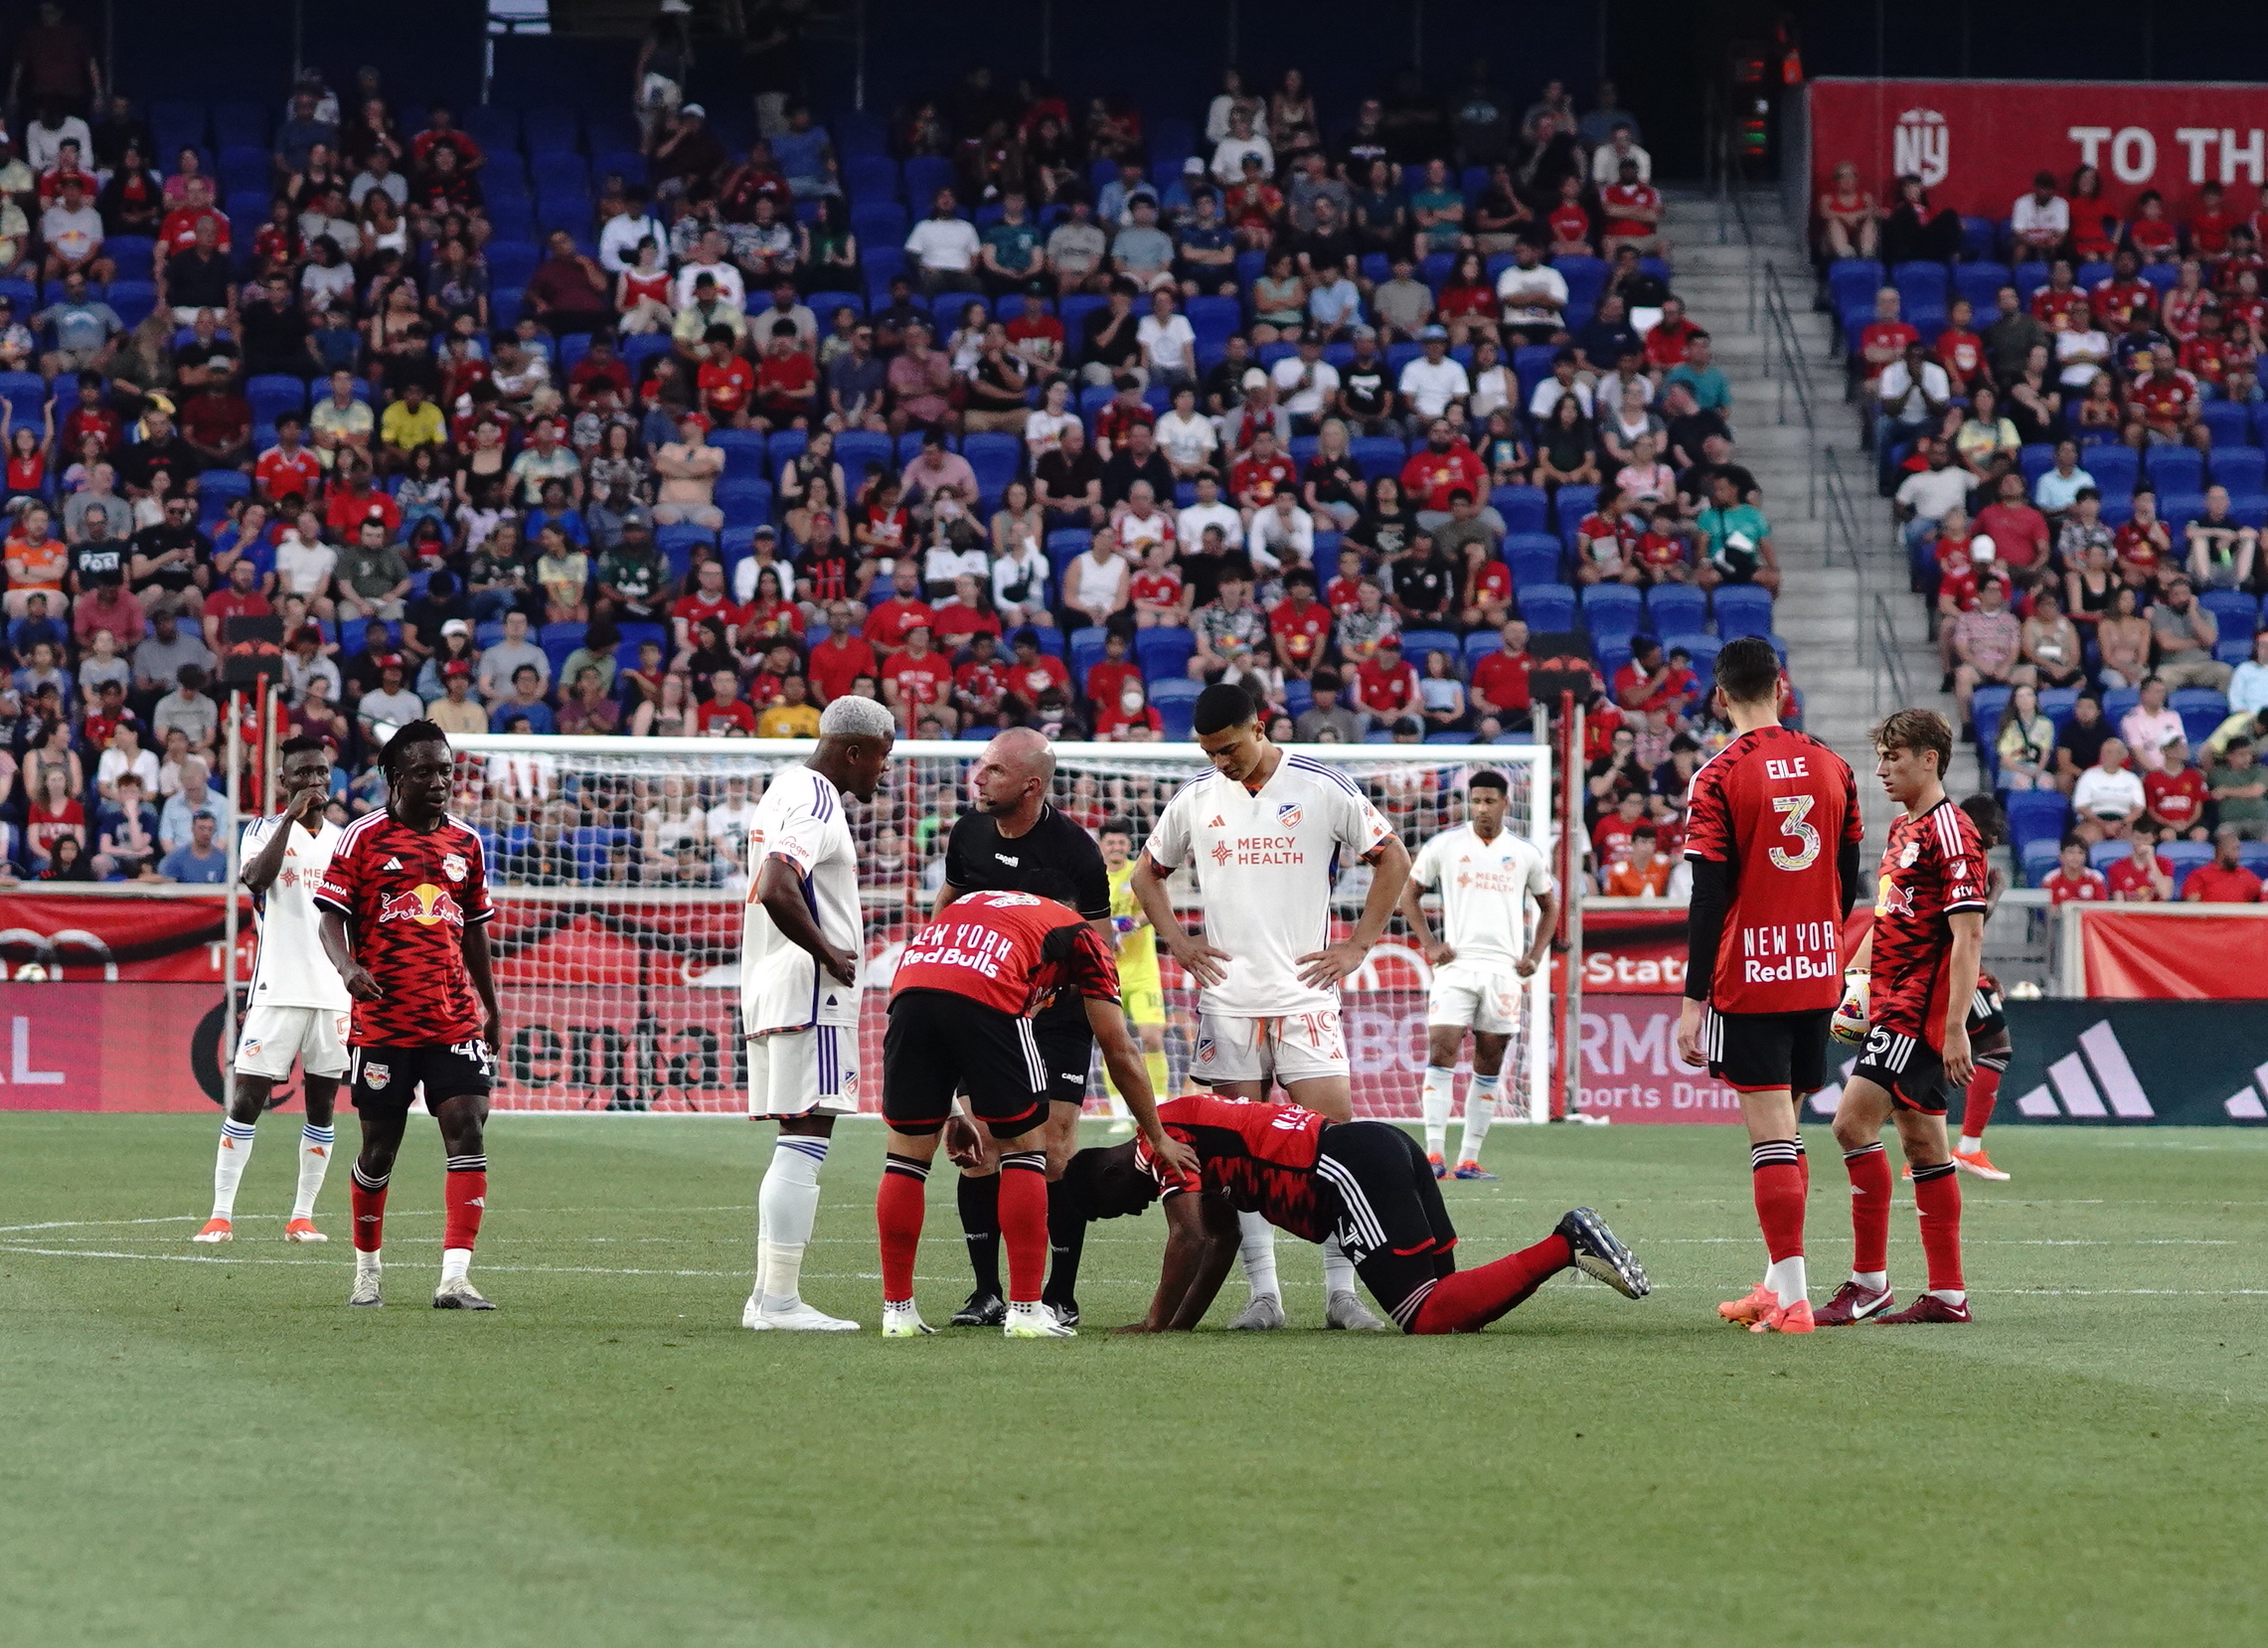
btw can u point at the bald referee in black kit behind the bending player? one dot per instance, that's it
(997, 849)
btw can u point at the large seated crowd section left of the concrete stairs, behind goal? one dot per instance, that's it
(999, 411)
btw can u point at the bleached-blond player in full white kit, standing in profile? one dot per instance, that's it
(799, 992)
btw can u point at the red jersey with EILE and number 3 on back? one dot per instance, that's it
(1777, 808)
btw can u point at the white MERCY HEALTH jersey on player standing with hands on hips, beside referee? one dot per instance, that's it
(1267, 865)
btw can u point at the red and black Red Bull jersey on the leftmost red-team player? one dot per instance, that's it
(409, 897)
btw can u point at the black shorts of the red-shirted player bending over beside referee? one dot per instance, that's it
(942, 1044)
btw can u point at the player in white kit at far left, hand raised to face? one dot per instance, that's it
(298, 1005)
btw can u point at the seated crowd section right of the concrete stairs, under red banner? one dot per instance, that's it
(2067, 418)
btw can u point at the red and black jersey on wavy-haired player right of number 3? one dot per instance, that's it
(1933, 867)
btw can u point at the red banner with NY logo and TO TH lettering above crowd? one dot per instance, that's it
(1979, 142)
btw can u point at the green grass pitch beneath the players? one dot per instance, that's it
(212, 1450)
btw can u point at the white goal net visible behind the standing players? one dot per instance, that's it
(620, 876)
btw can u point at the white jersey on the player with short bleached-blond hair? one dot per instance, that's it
(802, 822)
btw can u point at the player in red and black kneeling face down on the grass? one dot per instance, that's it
(1360, 1184)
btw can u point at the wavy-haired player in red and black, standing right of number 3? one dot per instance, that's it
(1922, 983)
